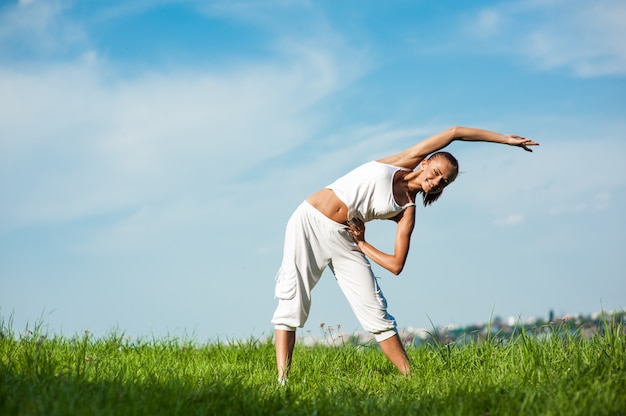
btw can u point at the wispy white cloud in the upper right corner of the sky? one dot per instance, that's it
(584, 37)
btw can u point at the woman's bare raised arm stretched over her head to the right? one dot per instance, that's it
(414, 155)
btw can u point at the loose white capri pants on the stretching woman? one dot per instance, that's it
(312, 242)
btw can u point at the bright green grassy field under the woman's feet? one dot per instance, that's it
(561, 373)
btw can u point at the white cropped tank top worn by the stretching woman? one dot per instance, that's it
(367, 191)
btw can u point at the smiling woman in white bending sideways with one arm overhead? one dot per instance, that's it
(328, 230)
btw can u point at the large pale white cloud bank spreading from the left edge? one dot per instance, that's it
(78, 142)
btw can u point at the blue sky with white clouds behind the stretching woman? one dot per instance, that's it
(152, 151)
